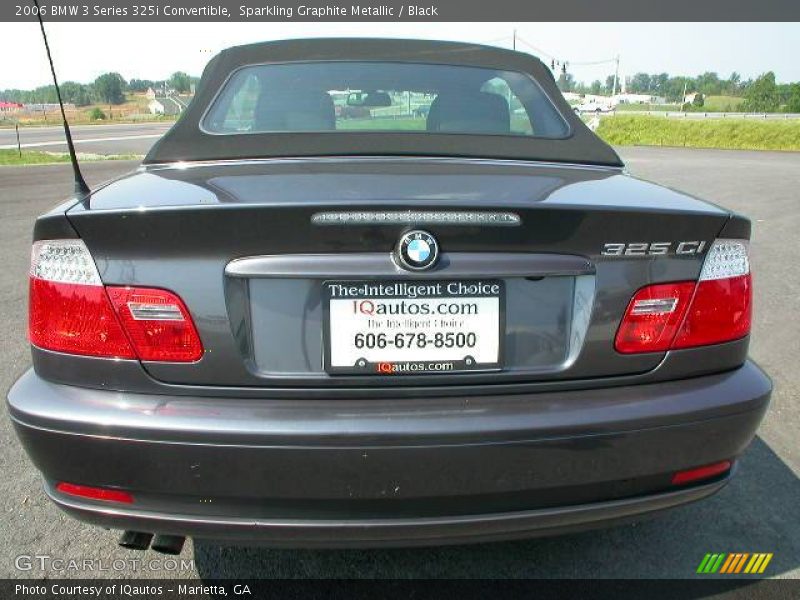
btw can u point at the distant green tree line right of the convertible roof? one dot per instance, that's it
(762, 94)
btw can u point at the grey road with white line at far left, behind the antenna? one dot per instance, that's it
(135, 138)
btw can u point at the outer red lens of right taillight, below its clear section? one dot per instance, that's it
(721, 311)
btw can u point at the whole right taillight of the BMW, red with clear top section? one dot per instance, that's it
(717, 308)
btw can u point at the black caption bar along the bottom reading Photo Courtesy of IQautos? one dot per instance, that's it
(547, 589)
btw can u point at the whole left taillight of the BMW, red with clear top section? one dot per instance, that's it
(71, 311)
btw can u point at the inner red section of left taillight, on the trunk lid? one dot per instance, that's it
(158, 324)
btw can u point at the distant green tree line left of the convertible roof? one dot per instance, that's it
(109, 88)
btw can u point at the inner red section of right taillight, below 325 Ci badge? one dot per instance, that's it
(653, 316)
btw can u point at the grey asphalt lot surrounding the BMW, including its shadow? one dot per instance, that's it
(757, 512)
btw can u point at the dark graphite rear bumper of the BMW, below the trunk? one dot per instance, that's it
(405, 471)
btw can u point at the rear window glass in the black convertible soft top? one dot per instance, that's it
(382, 96)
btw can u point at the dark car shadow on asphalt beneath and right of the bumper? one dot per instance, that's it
(757, 512)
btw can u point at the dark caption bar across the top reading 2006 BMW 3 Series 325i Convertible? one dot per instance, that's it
(423, 10)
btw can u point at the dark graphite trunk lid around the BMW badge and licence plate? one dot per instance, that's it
(249, 247)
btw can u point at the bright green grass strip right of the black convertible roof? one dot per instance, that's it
(733, 134)
